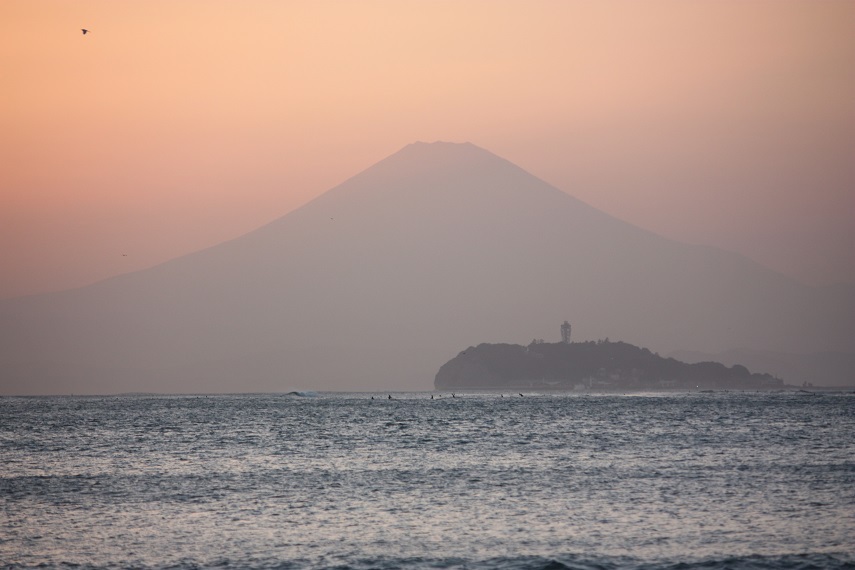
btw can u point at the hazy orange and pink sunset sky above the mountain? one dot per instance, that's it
(173, 126)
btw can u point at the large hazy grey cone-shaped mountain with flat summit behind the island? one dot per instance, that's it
(379, 281)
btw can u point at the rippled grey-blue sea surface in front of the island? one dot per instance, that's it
(479, 480)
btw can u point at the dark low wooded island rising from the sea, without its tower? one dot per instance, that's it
(597, 365)
